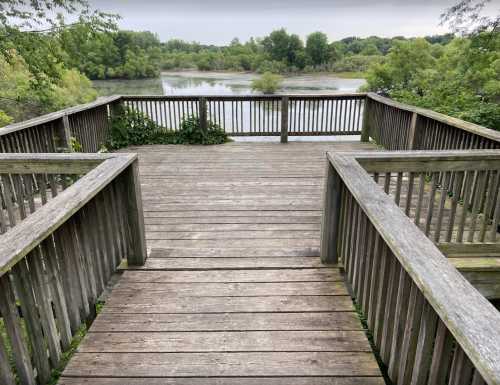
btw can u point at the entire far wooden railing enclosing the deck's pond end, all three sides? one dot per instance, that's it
(393, 125)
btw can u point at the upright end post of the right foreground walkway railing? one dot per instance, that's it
(331, 216)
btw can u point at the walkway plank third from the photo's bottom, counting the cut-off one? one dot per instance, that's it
(239, 341)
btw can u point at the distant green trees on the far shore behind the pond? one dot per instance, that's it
(281, 52)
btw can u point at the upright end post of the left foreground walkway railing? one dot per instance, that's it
(137, 255)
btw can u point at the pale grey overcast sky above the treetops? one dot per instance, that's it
(218, 21)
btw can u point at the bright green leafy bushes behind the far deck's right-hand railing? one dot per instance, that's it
(460, 79)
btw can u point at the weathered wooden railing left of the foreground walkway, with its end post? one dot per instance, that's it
(56, 262)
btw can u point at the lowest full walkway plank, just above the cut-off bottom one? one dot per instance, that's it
(217, 364)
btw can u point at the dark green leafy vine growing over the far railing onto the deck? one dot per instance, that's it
(133, 128)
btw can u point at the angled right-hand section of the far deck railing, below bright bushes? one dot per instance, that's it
(397, 126)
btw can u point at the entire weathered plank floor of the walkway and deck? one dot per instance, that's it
(233, 291)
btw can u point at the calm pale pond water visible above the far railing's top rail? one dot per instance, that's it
(223, 83)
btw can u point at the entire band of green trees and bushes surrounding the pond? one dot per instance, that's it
(48, 69)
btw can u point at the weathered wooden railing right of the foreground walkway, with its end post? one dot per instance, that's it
(428, 323)
